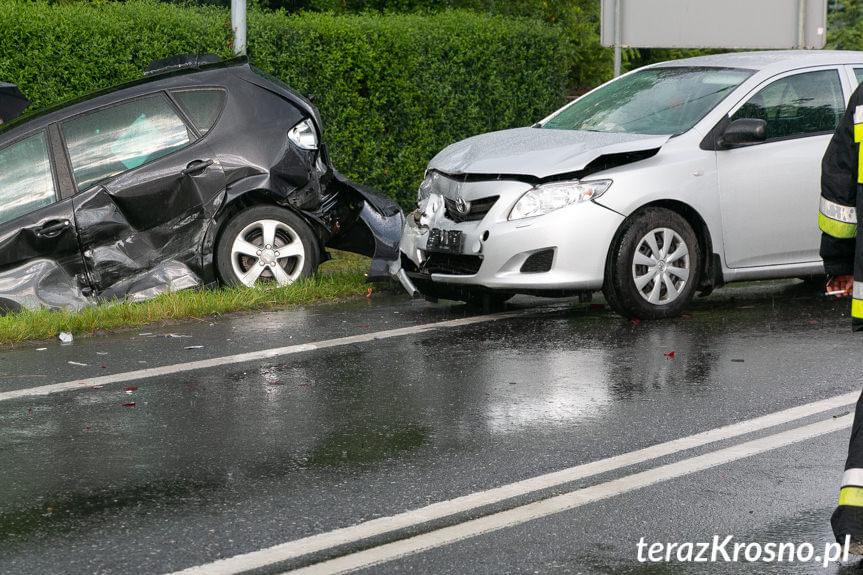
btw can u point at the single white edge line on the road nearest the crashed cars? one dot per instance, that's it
(254, 355)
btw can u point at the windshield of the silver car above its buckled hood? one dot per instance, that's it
(655, 101)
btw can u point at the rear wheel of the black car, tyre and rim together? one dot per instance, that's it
(244, 257)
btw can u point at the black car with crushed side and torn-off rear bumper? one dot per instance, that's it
(194, 174)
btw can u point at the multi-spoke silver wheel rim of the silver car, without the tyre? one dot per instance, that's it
(661, 266)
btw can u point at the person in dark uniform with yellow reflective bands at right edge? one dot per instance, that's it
(841, 181)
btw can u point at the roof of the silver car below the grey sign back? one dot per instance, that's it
(774, 60)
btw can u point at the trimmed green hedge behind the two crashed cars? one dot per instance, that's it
(393, 90)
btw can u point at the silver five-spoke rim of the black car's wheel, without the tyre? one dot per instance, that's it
(268, 250)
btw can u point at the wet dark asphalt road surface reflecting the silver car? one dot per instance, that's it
(216, 462)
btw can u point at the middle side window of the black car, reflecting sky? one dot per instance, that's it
(112, 140)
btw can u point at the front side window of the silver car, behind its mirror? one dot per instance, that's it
(799, 105)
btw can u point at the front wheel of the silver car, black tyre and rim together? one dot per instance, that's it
(654, 266)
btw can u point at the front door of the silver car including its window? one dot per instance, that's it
(769, 192)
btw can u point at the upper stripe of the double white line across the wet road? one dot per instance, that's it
(332, 539)
